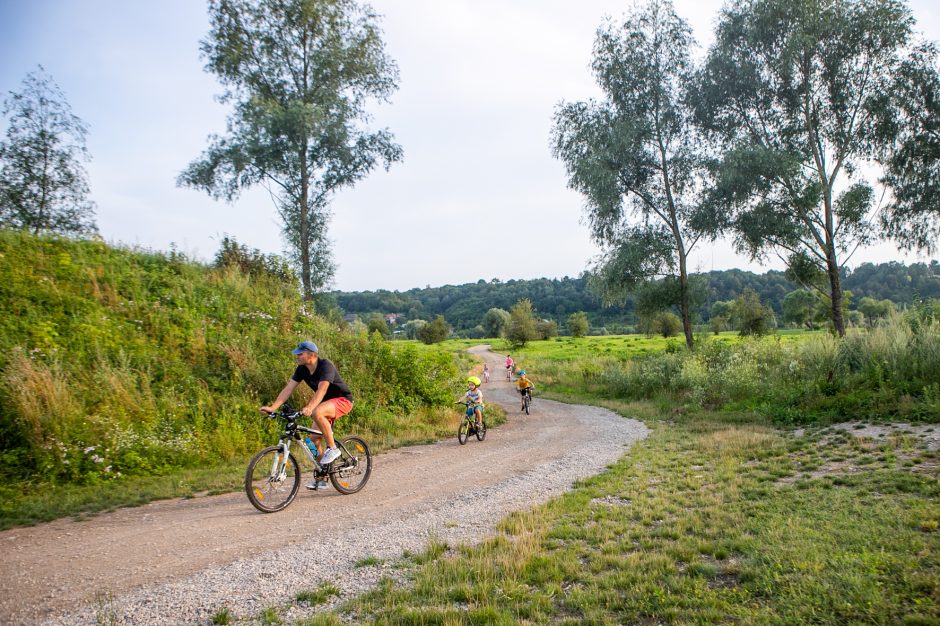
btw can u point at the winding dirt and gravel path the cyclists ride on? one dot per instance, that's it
(181, 561)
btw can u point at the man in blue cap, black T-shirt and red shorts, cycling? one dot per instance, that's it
(331, 399)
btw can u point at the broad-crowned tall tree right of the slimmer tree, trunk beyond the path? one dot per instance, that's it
(797, 93)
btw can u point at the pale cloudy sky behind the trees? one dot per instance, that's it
(478, 194)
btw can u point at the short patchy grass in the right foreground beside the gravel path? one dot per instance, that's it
(706, 522)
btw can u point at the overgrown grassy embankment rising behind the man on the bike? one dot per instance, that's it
(126, 362)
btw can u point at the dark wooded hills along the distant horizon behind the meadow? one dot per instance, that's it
(463, 306)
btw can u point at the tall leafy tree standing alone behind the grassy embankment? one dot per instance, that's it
(299, 74)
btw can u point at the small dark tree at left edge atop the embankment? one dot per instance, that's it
(43, 183)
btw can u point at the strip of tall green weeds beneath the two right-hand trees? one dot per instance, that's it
(890, 371)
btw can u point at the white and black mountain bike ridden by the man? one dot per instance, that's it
(273, 476)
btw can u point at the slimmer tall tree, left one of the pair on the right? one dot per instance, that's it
(635, 156)
